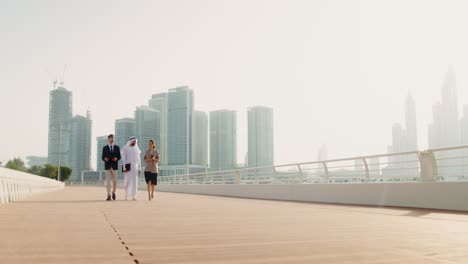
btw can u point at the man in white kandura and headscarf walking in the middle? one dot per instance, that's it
(131, 166)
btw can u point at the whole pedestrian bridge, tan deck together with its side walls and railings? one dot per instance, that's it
(409, 210)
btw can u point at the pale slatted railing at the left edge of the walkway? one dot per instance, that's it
(16, 185)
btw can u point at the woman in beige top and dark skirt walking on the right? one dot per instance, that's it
(151, 168)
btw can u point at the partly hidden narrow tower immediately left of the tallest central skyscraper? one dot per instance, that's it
(159, 102)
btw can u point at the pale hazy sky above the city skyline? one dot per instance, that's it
(335, 72)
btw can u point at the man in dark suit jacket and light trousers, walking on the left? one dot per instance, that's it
(111, 157)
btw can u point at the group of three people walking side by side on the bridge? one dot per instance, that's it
(131, 167)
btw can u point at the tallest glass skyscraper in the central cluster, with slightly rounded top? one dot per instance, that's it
(179, 126)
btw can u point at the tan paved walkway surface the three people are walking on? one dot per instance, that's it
(75, 225)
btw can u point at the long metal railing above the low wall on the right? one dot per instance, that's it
(441, 164)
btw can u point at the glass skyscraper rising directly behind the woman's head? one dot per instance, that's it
(147, 122)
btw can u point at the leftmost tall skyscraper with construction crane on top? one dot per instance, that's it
(60, 117)
